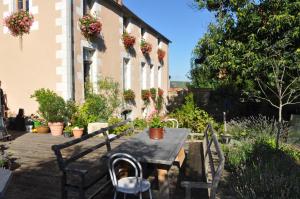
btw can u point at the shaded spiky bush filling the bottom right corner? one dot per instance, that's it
(262, 171)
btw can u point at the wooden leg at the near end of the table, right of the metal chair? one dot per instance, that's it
(163, 183)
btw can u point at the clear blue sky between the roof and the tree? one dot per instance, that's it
(179, 22)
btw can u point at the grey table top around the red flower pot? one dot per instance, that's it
(147, 150)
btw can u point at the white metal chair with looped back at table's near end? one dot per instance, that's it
(128, 185)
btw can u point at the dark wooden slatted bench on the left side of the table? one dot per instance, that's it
(81, 180)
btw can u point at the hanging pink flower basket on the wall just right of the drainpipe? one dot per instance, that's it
(90, 27)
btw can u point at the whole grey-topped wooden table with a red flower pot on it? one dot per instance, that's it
(162, 153)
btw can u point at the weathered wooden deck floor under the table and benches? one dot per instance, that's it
(36, 174)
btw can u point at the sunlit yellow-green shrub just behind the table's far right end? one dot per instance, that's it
(190, 116)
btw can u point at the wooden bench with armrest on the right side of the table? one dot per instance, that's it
(212, 164)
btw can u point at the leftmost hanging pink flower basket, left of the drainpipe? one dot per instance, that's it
(19, 23)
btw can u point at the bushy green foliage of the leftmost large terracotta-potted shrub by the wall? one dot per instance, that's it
(51, 106)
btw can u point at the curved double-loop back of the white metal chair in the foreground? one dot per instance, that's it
(123, 157)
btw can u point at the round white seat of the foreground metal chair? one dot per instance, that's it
(131, 186)
